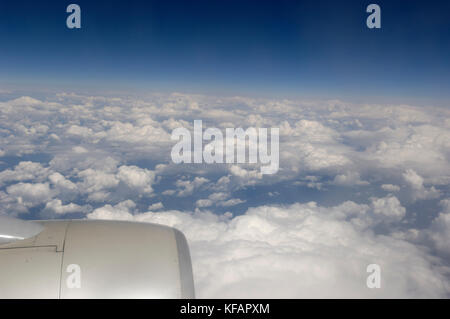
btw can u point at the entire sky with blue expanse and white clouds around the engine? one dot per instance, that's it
(87, 117)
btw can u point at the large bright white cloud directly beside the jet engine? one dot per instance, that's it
(297, 251)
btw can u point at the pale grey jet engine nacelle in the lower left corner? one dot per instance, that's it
(97, 259)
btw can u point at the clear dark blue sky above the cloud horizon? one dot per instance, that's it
(309, 48)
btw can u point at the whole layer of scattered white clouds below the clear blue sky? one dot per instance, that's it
(357, 185)
